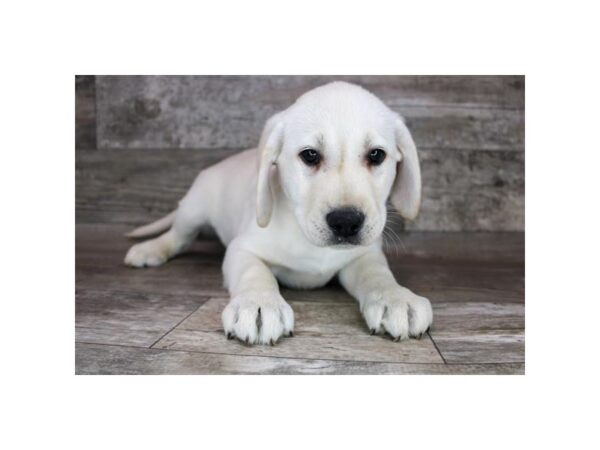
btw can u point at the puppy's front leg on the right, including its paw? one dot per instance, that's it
(385, 305)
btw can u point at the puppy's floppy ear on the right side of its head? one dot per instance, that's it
(406, 192)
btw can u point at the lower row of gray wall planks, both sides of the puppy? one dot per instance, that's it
(462, 190)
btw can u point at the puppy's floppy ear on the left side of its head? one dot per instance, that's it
(269, 148)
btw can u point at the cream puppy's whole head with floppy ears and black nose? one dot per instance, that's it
(338, 154)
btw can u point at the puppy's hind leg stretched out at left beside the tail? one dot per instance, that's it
(189, 218)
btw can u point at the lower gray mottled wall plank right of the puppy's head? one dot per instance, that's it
(472, 191)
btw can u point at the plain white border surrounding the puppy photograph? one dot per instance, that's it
(46, 43)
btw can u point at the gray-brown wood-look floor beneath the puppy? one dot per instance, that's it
(166, 320)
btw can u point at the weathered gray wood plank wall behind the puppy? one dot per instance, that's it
(141, 140)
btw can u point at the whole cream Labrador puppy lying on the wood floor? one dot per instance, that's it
(307, 205)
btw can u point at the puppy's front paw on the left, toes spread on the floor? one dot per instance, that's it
(258, 318)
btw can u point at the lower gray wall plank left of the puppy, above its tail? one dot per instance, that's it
(135, 186)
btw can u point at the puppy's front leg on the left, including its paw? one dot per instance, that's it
(256, 313)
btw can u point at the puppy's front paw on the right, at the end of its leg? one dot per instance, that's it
(398, 312)
